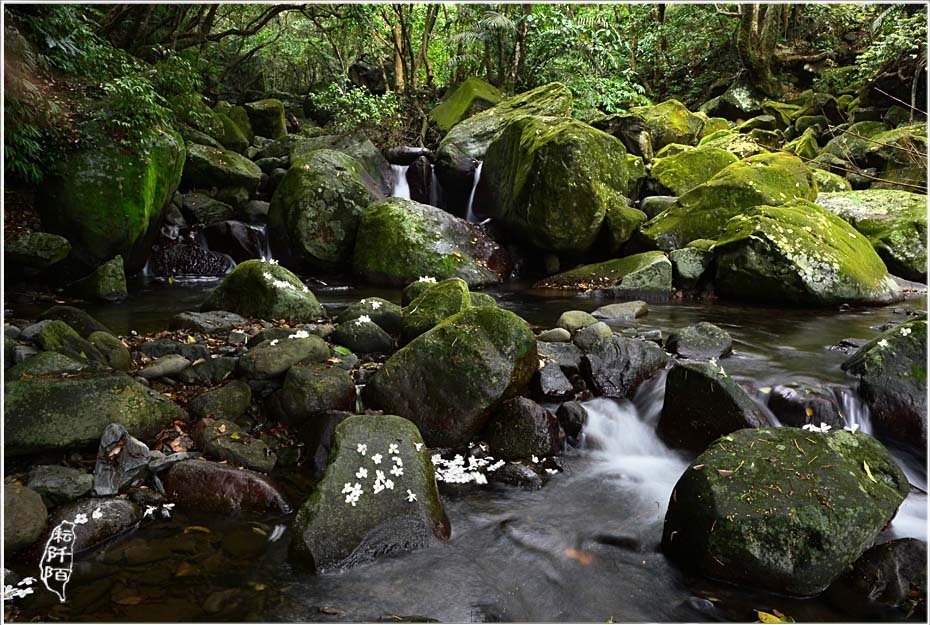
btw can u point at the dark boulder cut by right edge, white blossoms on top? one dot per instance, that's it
(893, 382)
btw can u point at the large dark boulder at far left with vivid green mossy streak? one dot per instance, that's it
(108, 200)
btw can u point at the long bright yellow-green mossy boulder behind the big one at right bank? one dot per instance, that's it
(703, 212)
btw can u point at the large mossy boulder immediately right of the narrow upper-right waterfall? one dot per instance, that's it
(553, 181)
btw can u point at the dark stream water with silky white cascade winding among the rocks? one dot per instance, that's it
(584, 548)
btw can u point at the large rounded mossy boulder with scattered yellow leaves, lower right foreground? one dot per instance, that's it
(782, 509)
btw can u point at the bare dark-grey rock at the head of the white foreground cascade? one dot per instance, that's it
(616, 366)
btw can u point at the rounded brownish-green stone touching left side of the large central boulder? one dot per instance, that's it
(313, 389)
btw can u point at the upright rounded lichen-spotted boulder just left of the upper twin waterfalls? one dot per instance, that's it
(316, 209)
